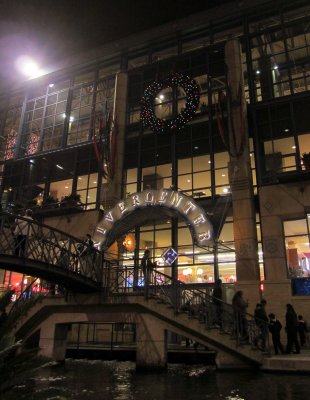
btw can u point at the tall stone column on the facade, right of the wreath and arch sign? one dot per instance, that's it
(240, 178)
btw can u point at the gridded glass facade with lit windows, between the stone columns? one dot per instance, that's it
(47, 150)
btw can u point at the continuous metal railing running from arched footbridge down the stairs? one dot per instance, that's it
(26, 238)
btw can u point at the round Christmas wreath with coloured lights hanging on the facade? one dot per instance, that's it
(148, 116)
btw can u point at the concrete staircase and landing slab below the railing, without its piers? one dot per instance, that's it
(95, 307)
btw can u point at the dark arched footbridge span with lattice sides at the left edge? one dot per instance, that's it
(28, 247)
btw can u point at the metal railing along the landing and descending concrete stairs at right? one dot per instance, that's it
(196, 303)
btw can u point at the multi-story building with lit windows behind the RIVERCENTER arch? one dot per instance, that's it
(242, 156)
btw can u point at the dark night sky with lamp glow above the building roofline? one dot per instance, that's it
(50, 29)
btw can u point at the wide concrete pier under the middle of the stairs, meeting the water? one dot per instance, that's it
(151, 342)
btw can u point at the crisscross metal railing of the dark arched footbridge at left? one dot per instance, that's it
(29, 239)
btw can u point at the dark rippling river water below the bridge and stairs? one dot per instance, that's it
(114, 380)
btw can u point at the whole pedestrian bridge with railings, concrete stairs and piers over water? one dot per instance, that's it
(122, 296)
